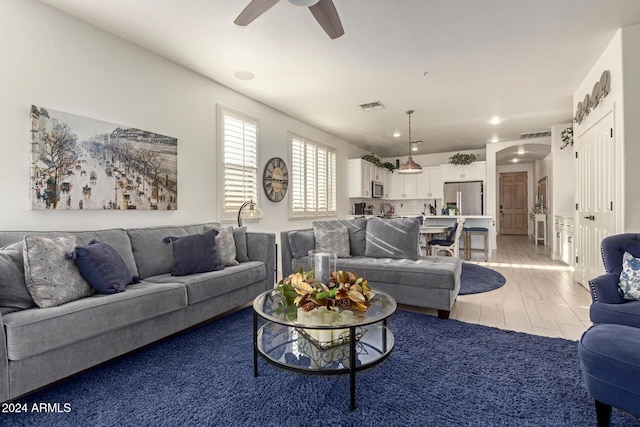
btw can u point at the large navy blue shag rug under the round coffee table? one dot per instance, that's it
(441, 373)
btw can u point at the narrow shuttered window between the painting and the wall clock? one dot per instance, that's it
(239, 136)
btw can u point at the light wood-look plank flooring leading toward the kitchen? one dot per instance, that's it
(539, 297)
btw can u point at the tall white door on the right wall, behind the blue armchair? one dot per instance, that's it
(595, 184)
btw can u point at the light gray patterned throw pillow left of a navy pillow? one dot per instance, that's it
(52, 279)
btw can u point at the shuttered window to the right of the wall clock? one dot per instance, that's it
(312, 180)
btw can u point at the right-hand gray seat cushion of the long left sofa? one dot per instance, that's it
(203, 286)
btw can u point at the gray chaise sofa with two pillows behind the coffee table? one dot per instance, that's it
(384, 251)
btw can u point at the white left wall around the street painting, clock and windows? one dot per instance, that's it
(55, 61)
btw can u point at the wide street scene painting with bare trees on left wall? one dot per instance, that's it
(83, 163)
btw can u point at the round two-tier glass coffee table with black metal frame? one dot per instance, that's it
(361, 342)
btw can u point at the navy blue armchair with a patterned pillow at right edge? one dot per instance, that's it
(608, 305)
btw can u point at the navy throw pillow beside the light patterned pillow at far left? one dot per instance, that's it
(102, 267)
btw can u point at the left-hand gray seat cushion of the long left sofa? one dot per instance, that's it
(32, 332)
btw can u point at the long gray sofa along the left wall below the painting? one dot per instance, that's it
(41, 345)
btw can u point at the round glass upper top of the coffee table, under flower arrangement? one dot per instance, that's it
(268, 306)
